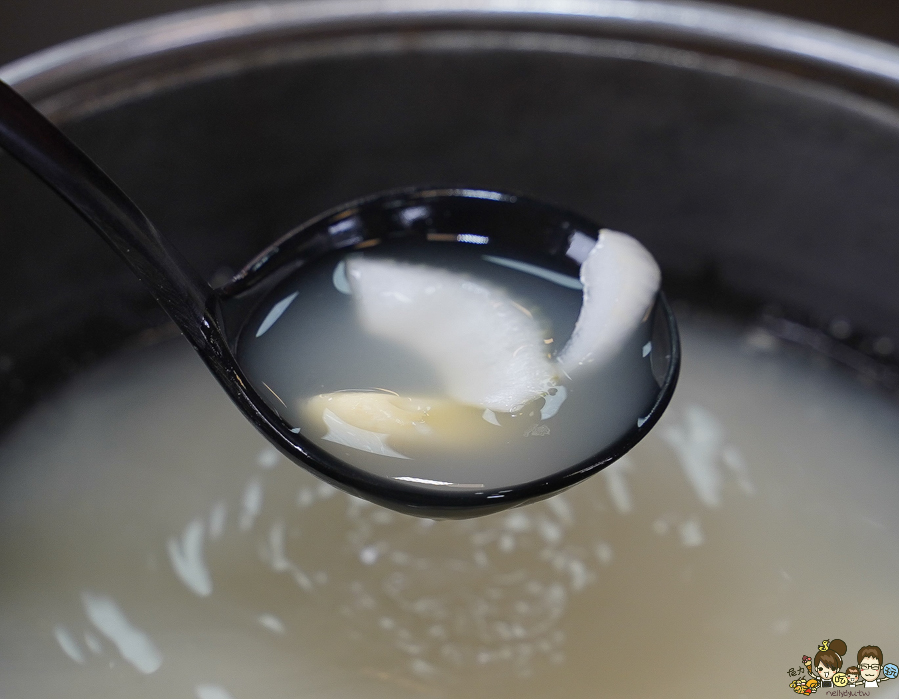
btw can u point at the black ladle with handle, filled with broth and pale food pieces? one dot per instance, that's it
(503, 299)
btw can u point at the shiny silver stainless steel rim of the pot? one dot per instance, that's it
(685, 21)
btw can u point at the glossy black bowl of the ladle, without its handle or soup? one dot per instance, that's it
(499, 221)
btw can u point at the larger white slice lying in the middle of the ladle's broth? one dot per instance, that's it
(487, 349)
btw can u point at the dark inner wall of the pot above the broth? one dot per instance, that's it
(761, 181)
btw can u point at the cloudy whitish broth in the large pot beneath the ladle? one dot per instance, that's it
(153, 545)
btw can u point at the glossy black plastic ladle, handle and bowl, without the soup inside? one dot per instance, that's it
(215, 321)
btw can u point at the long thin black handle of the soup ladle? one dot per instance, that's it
(41, 147)
